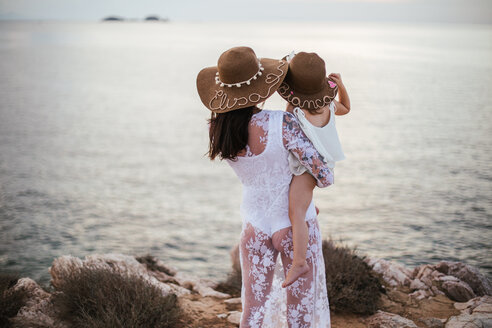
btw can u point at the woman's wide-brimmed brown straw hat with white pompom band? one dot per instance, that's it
(239, 80)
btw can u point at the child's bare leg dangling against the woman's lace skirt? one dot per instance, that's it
(300, 196)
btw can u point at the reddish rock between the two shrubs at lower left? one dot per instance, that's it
(38, 311)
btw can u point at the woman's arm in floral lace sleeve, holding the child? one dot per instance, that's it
(301, 147)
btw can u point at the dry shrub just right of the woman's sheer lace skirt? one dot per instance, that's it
(351, 284)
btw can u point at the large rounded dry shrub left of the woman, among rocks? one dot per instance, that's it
(95, 298)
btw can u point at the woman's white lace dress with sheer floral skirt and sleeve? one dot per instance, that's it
(267, 235)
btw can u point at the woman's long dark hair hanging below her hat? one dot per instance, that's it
(229, 133)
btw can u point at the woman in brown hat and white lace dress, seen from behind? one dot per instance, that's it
(256, 144)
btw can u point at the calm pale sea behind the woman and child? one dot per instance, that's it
(103, 141)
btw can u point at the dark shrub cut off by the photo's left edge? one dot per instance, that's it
(10, 301)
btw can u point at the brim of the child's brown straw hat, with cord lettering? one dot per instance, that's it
(312, 101)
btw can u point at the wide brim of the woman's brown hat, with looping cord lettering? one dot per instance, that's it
(225, 99)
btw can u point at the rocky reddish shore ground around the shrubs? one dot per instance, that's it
(447, 294)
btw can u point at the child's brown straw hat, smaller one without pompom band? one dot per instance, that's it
(306, 85)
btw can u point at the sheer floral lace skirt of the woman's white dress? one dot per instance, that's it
(265, 303)
